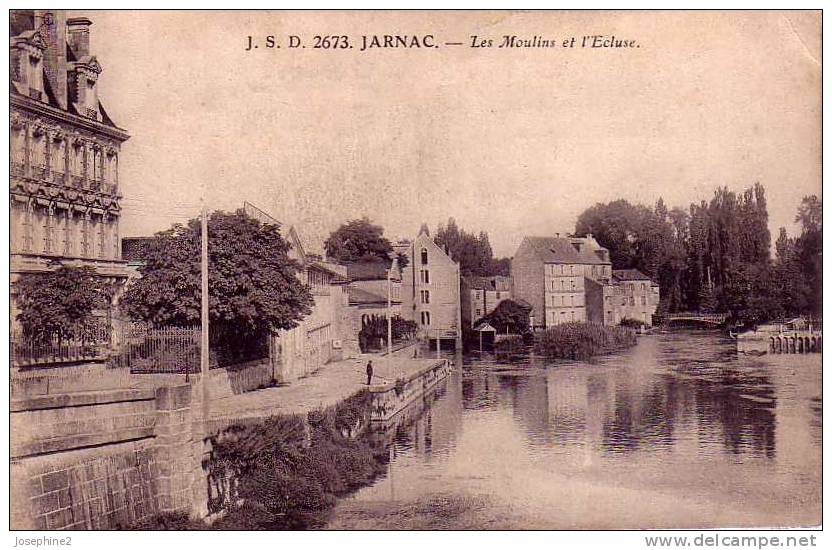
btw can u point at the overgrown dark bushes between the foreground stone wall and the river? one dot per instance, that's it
(287, 471)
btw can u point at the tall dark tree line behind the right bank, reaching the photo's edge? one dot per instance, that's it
(716, 255)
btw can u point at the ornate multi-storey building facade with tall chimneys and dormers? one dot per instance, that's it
(64, 185)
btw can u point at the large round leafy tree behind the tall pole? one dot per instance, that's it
(253, 287)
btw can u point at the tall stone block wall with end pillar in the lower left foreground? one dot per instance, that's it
(104, 459)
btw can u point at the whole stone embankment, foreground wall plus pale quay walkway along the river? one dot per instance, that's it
(98, 449)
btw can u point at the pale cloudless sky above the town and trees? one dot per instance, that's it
(513, 142)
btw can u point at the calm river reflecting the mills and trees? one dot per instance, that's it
(677, 432)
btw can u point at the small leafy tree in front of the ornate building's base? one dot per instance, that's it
(60, 303)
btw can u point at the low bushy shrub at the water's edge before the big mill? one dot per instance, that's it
(582, 340)
